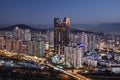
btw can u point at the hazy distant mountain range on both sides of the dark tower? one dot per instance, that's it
(91, 28)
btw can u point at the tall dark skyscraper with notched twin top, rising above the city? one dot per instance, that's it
(61, 34)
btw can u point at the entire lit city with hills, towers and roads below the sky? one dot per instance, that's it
(76, 53)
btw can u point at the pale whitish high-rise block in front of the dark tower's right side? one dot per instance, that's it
(73, 56)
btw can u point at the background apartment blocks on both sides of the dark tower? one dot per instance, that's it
(33, 43)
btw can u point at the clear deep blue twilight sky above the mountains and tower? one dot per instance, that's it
(43, 11)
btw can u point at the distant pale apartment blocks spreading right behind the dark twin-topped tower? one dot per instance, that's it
(96, 41)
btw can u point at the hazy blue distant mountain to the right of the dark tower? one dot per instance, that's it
(102, 27)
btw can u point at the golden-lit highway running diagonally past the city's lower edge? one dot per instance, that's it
(41, 61)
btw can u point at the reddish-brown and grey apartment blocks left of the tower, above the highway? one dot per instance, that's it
(23, 41)
